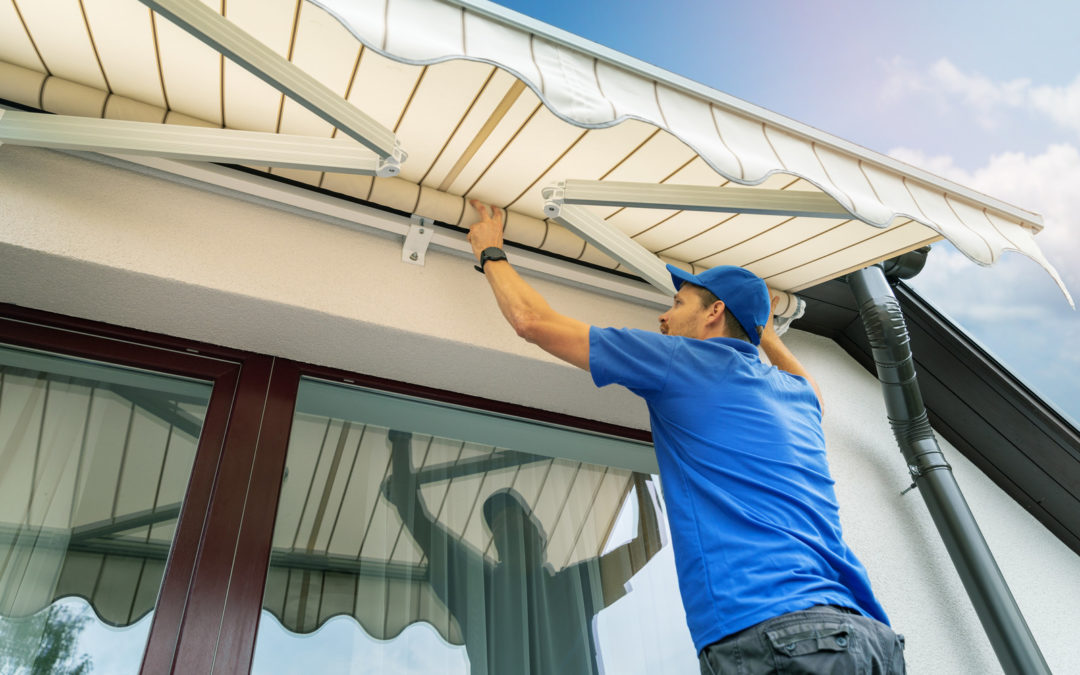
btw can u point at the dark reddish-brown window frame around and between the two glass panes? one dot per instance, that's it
(211, 600)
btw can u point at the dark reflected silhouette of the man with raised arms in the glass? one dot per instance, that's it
(518, 615)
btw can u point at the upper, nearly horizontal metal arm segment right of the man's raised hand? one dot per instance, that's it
(698, 198)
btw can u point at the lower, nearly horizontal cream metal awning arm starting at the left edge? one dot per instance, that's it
(185, 143)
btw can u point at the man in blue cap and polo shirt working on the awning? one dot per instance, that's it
(767, 582)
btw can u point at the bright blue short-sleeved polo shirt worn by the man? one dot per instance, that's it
(754, 519)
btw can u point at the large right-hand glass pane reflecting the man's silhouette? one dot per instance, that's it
(415, 537)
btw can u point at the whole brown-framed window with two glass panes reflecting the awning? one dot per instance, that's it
(172, 507)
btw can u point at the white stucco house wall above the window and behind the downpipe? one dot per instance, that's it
(91, 241)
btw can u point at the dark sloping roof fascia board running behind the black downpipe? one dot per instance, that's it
(1025, 447)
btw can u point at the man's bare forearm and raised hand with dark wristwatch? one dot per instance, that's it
(525, 309)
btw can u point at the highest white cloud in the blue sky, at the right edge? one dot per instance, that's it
(988, 100)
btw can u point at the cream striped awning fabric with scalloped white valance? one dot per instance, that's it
(491, 105)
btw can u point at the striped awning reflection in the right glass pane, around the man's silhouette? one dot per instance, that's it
(343, 547)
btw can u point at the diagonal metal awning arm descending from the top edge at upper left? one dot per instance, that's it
(261, 61)
